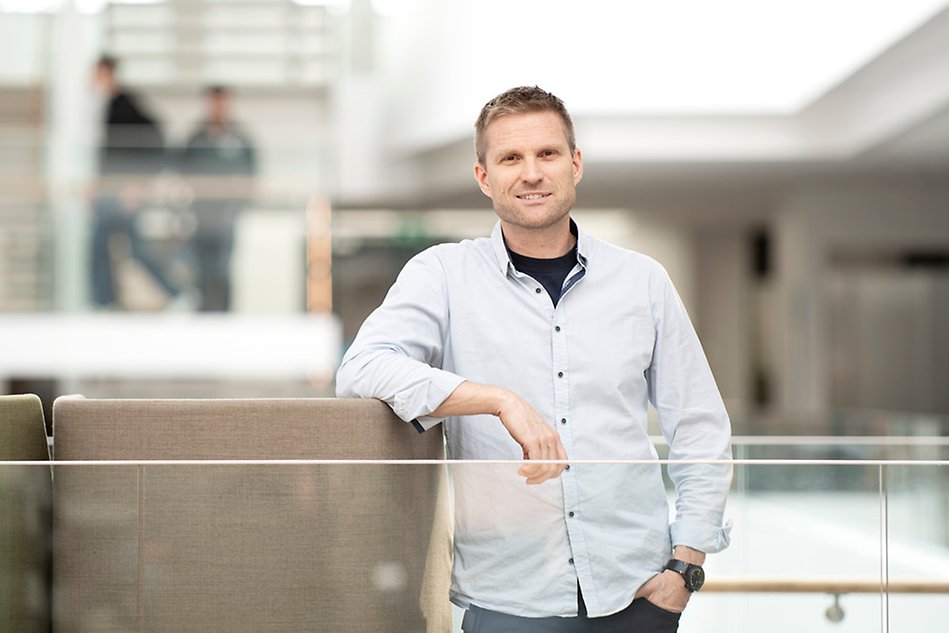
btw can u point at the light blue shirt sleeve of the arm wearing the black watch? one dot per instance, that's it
(693, 420)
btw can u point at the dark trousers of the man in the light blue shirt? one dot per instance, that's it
(641, 616)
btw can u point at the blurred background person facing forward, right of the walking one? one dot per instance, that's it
(220, 162)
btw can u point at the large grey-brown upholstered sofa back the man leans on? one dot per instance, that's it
(240, 547)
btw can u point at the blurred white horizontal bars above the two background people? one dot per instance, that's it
(188, 44)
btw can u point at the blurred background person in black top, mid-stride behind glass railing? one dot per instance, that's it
(131, 154)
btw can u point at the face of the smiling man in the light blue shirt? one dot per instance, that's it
(529, 172)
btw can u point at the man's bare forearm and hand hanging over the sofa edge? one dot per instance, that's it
(537, 439)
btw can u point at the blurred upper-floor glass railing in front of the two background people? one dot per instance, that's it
(212, 230)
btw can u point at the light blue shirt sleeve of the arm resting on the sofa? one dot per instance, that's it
(397, 354)
